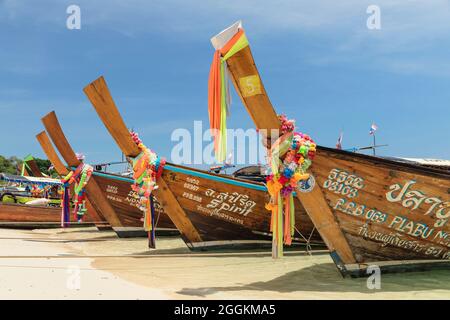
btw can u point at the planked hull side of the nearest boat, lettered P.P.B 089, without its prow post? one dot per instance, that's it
(387, 211)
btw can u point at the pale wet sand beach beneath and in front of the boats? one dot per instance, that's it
(88, 264)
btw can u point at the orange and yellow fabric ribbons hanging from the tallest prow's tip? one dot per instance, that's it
(218, 92)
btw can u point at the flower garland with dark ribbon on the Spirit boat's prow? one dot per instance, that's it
(147, 168)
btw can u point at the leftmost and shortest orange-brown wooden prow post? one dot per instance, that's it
(61, 169)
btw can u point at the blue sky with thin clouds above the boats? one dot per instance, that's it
(319, 63)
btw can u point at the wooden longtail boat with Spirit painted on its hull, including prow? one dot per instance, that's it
(209, 210)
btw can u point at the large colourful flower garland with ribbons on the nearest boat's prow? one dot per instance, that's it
(289, 157)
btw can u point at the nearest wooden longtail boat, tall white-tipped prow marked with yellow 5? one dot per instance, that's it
(368, 210)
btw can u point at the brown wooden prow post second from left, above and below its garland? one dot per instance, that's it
(94, 193)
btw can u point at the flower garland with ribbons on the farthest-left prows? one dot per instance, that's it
(80, 177)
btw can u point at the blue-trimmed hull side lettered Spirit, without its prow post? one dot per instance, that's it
(224, 208)
